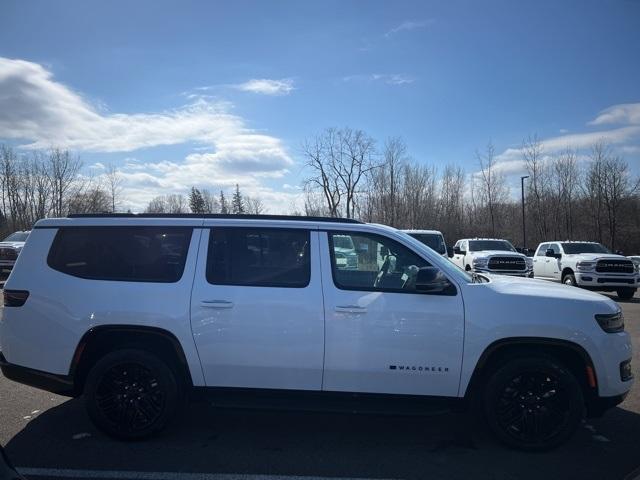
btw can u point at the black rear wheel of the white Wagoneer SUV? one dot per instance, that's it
(132, 394)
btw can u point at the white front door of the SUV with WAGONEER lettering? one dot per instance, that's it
(388, 341)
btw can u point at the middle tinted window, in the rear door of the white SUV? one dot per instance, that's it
(258, 257)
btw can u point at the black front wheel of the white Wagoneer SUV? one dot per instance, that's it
(533, 403)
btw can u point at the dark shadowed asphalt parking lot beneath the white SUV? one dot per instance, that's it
(48, 436)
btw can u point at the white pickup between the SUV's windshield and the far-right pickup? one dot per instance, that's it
(491, 255)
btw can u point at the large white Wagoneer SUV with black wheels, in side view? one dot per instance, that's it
(132, 311)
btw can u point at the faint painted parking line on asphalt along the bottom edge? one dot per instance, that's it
(134, 475)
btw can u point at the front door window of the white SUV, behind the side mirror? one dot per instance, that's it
(378, 264)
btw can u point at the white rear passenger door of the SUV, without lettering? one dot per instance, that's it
(258, 336)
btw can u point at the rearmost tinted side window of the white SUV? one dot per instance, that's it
(130, 254)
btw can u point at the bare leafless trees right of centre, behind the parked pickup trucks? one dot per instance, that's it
(567, 196)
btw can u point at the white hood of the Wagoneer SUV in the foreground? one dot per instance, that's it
(543, 289)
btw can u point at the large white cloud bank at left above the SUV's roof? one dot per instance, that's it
(40, 112)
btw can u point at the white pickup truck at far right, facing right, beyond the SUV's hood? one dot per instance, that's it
(588, 265)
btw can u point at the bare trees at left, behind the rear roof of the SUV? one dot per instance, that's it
(36, 185)
